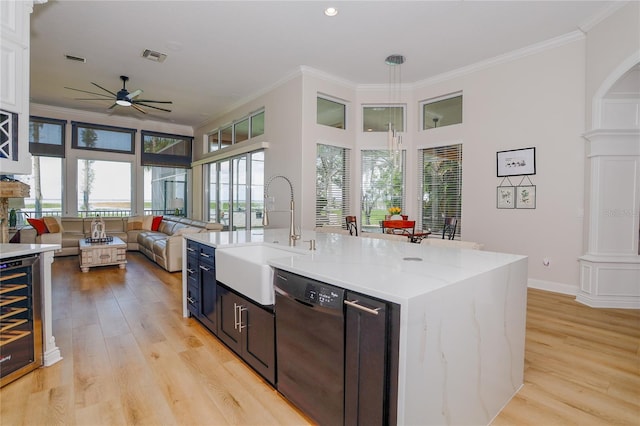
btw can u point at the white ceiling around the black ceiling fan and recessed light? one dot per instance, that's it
(220, 53)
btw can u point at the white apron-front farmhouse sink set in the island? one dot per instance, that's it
(245, 269)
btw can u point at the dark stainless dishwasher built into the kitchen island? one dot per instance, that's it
(310, 346)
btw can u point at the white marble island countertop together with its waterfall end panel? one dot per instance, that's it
(462, 315)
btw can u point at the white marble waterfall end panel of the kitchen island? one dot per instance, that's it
(464, 357)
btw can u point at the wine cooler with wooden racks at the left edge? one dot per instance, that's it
(20, 317)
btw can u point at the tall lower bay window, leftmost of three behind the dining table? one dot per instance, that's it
(332, 185)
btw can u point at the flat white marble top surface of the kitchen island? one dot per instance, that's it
(390, 270)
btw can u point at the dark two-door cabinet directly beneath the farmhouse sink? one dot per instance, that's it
(249, 330)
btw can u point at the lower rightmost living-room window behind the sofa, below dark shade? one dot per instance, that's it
(165, 191)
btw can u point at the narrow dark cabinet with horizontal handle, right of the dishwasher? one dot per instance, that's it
(371, 360)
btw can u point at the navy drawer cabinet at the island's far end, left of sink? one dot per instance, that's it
(201, 284)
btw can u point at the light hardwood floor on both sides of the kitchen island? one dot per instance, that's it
(130, 358)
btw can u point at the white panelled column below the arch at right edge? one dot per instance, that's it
(610, 270)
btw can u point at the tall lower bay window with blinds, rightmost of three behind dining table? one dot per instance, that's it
(441, 177)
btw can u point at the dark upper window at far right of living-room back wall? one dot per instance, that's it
(160, 149)
